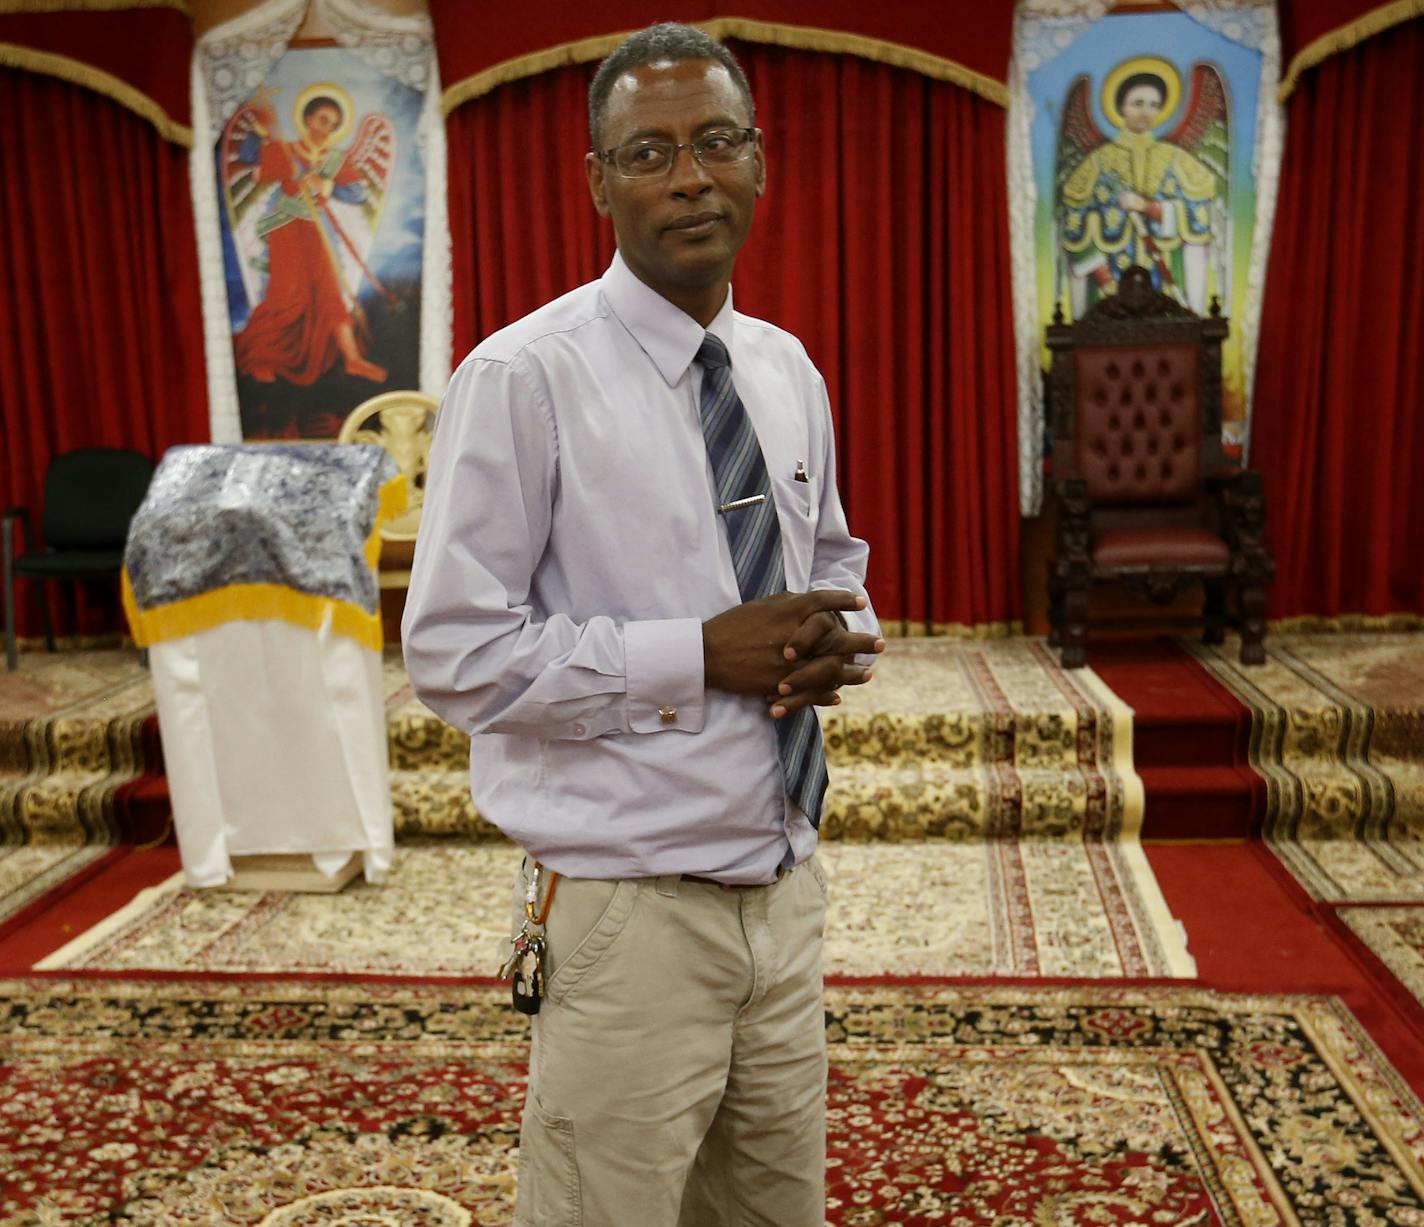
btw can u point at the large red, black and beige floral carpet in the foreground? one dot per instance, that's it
(323, 1104)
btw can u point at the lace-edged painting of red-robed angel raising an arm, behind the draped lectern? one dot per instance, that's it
(321, 190)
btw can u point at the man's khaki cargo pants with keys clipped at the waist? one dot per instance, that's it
(679, 1065)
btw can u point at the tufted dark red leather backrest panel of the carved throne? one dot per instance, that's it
(1140, 429)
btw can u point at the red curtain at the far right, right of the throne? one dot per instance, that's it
(1339, 388)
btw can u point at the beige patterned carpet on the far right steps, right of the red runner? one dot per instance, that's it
(1338, 734)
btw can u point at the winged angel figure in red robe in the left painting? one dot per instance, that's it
(305, 214)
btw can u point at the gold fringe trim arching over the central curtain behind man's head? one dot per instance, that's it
(750, 31)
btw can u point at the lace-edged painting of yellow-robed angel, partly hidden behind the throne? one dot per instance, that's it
(1146, 139)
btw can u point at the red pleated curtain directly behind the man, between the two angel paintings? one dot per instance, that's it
(882, 243)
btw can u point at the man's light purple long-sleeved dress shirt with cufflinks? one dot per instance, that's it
(570, 550)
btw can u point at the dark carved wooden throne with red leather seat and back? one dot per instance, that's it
(1147, 497)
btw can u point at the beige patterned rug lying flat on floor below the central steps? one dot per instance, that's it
(973, 909)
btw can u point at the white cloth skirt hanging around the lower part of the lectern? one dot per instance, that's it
(276, 742)
